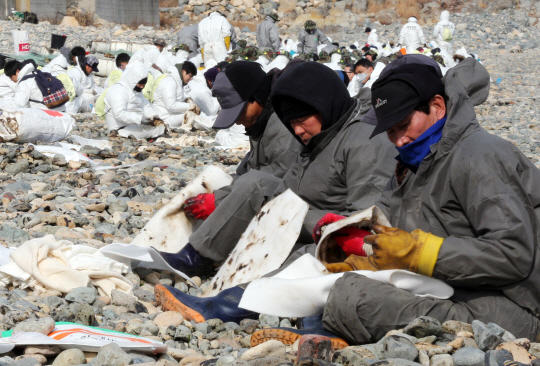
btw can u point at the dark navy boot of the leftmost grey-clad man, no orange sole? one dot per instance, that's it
(189, 261)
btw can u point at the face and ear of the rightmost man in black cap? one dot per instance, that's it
(416, 123)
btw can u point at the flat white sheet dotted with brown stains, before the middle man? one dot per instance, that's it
(265, 244)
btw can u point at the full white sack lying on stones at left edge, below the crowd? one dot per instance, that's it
(31, 125)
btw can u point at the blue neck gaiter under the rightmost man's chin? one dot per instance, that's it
(412, 154)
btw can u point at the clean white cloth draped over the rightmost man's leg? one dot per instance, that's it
(302, 288)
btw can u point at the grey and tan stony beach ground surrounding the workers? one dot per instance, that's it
(110, 199)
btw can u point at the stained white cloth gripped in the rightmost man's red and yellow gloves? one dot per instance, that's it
(328, 251)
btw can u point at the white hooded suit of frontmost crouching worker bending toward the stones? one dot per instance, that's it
(127, 110)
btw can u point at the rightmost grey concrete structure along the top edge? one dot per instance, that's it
(130, 12)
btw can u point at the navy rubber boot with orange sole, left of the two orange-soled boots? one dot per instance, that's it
(224, 306)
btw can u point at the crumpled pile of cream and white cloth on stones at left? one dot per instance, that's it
(45, 263)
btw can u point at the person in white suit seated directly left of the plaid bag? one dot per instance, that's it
(28, 94)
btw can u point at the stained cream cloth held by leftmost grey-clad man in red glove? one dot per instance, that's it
(170, 228)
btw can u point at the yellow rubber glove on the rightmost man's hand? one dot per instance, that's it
(394, 248)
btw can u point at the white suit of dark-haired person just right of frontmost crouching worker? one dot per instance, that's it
(169, 95)
